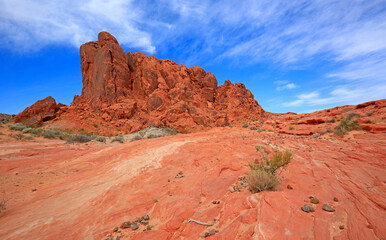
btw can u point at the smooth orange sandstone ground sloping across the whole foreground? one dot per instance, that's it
(83, 191)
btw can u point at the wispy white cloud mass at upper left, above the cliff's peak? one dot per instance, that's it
(30, 25)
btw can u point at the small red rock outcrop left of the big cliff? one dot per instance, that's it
(42, 110)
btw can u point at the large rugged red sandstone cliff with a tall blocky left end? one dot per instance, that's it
(127, 92)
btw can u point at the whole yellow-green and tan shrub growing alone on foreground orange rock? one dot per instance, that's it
(264, 174)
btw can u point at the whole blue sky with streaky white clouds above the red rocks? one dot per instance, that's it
(297, 56)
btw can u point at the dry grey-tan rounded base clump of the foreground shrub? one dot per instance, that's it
(259, 180)
